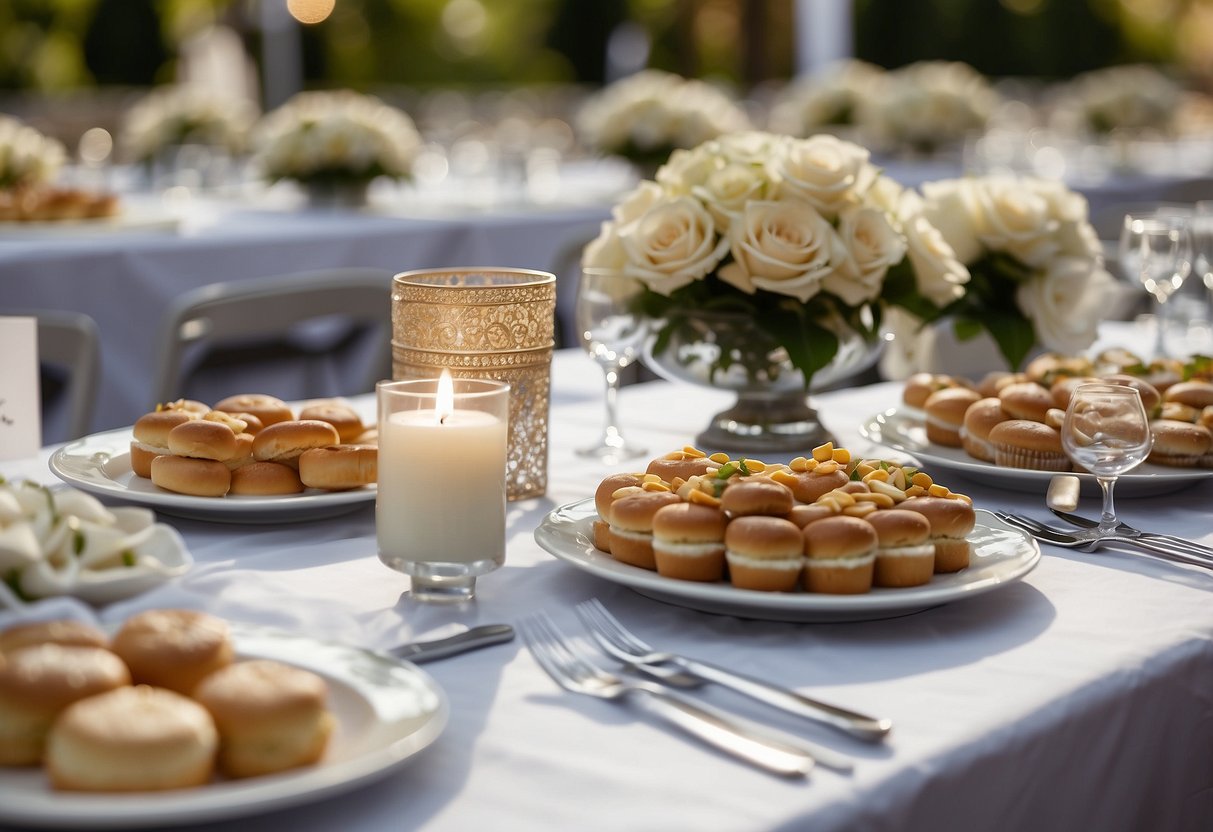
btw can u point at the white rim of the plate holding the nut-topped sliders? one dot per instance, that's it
(553, 533)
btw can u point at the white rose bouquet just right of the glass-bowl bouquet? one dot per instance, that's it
(1035, 267)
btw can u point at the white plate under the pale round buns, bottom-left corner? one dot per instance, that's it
(386, 711)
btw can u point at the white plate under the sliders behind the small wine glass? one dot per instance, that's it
(904, 431)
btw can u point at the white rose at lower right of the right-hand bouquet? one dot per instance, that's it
(1066, 304)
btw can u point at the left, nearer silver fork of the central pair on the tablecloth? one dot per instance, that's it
(576, 674)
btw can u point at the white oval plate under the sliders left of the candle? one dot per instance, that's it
(101, 465)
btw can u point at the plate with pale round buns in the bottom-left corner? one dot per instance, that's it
(179, 716)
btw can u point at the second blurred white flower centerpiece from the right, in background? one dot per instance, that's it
(927, 106)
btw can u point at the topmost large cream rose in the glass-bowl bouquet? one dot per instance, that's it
(827, 173)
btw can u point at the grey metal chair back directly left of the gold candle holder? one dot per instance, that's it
(307, 335)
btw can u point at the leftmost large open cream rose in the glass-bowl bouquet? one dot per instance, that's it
(673, 246)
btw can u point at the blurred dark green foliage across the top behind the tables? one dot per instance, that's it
(58, 45)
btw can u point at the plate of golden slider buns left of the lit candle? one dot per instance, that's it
(248, 459)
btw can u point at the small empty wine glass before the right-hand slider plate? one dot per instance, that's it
(1107, 432)
